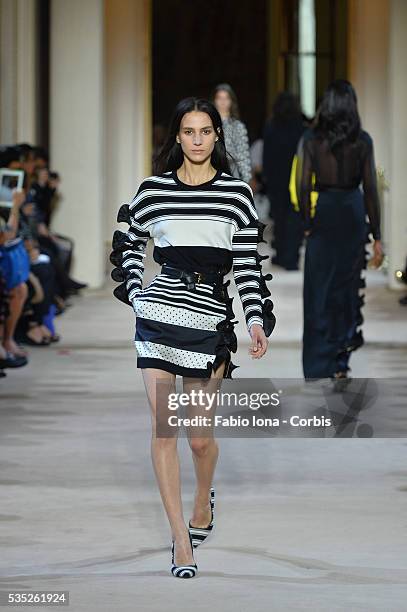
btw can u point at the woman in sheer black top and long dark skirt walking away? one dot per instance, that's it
(339, 156)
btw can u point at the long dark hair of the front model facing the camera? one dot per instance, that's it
(171, 156)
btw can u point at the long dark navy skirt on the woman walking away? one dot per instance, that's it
(334, 259)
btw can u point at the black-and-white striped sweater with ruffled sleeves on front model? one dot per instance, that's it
(213, 226)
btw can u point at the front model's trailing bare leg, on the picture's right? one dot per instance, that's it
(205, 450)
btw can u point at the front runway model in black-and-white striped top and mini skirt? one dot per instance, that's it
(203, 223)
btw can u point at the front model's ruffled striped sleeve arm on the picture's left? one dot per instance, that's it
(129, 248)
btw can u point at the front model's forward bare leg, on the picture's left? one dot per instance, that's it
(166, 465)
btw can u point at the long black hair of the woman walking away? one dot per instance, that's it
(338, 117)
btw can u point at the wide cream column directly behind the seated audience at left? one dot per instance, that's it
(76, 130)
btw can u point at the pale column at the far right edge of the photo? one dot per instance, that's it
(396, 121)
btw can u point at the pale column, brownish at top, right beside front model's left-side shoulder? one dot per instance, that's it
(128, 102)
